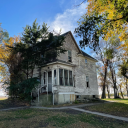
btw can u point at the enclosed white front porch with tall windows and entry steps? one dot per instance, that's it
(57, 83)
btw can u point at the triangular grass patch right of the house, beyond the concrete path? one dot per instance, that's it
(119, 107)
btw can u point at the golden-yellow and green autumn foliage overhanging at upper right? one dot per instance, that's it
(104, 19)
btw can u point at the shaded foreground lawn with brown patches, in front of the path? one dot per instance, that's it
(37, 118)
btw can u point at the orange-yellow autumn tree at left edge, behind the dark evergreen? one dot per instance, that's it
(7, 60)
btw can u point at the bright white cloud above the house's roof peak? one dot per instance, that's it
(67, 21)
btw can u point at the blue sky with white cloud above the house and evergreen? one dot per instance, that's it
(58, 14)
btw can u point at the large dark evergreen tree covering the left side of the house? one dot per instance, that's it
(38, 46)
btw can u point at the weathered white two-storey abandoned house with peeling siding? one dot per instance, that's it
(72, 76)
